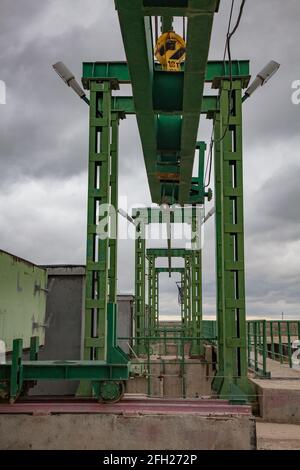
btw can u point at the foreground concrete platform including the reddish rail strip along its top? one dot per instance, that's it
(131, 424)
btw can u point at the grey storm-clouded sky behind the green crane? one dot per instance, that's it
(44, 137)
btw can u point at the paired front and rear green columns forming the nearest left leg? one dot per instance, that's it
(101, 264)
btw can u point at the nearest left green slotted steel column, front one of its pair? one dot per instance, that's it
(95, 346)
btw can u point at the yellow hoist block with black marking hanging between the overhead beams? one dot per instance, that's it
(170, 51)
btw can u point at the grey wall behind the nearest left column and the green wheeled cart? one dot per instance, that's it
(64, 317)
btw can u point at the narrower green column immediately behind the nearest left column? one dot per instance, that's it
(113, 242)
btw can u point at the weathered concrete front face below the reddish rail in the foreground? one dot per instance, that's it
(127, 432)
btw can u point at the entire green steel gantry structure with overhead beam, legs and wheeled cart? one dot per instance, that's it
(168, 106)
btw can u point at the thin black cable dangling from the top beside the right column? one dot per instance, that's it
(227, 50)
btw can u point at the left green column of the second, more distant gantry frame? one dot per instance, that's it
(140, 289)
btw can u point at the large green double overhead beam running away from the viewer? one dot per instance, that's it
(167, 139)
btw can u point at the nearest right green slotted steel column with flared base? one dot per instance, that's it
(231, 379)
